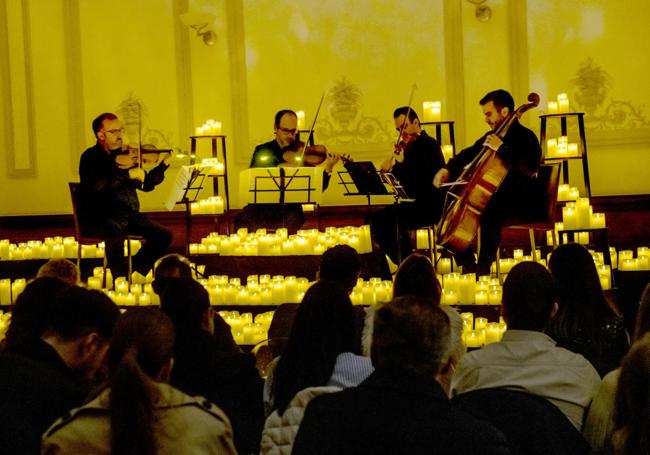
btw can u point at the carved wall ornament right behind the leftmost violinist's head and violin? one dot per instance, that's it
(133, 113)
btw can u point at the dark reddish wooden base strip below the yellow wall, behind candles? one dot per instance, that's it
(627, 217)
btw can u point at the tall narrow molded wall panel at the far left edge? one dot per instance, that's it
(18, 92)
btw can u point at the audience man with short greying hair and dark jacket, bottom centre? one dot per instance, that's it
(401, 407)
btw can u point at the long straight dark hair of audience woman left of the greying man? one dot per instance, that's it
(323, 329)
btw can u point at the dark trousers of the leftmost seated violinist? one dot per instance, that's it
(157, 239)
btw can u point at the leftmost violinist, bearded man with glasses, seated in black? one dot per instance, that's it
(108, 201)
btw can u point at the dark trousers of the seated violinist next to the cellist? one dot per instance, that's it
(393, 222)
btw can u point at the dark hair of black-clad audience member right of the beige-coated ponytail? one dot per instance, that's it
(185, 301)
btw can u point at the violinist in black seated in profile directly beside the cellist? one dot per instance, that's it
(415, 160)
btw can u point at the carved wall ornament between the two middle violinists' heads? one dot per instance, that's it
(342, 122)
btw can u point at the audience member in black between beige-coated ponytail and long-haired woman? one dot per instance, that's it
(203, 367)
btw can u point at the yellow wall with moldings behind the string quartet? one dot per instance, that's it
(65, 61)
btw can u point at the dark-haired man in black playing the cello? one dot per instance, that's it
(518, 197)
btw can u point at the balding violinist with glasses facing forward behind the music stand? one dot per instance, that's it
(273, 154)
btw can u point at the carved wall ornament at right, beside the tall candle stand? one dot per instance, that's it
(591, 86)
